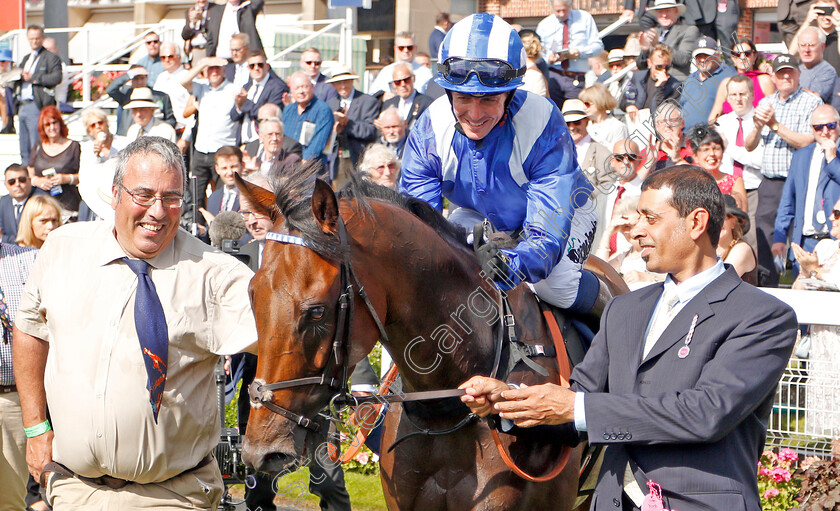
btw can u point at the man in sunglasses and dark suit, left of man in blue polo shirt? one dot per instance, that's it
(263, 87)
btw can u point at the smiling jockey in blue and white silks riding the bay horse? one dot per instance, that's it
(505, 155)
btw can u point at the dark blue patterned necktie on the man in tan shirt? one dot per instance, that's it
(152, 332)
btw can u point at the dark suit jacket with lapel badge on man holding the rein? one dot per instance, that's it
(695, 425)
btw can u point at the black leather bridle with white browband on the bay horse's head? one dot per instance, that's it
(261, 393)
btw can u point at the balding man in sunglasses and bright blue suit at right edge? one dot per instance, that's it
(811, 189)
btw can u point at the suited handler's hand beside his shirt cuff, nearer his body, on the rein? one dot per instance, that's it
(545, 404)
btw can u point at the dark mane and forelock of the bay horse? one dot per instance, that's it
(293, 186)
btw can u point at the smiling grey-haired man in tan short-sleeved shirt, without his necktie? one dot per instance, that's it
(77, 348)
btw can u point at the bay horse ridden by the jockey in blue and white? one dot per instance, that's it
(424, 284)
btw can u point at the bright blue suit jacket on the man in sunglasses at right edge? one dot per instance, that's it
(792, 204)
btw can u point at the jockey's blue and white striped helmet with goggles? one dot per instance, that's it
(481, 54)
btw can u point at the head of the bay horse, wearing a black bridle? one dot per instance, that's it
(303, 333)
